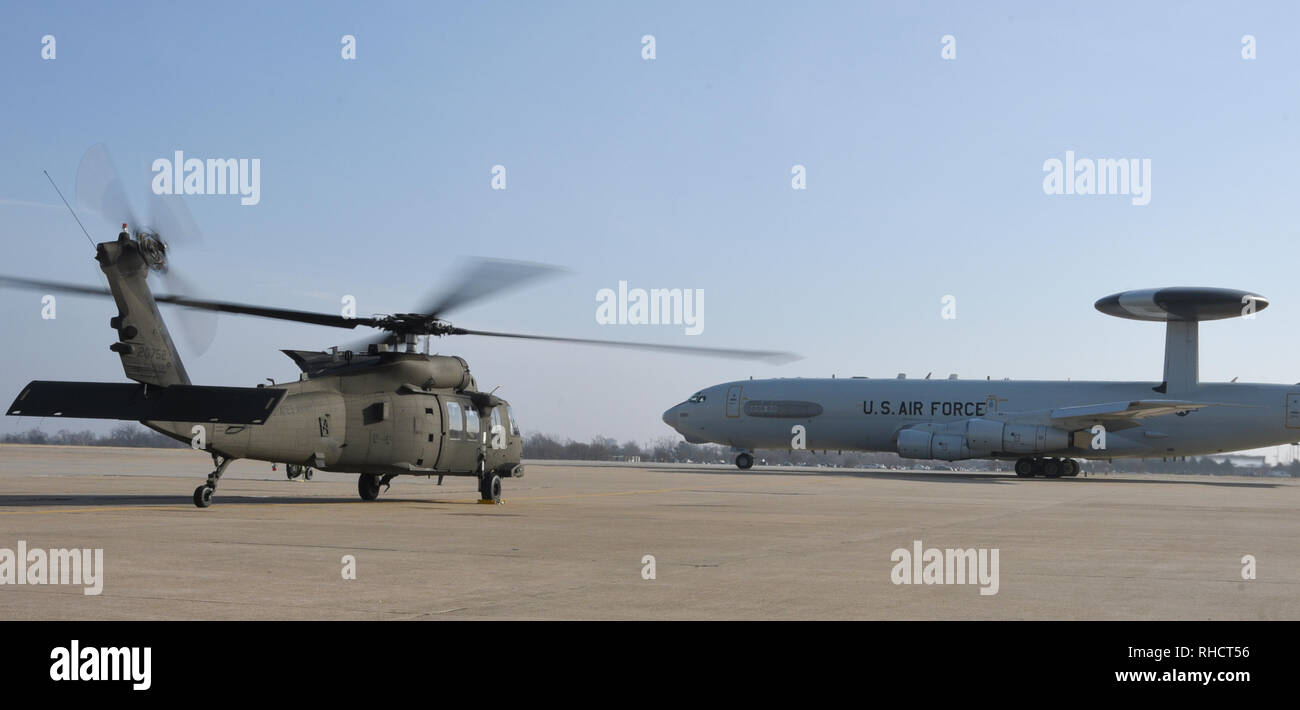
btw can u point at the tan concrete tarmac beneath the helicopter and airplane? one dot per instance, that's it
(571, 539)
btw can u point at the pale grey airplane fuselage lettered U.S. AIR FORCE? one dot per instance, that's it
(868, 415)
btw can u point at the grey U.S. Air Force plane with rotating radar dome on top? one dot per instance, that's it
(1043, 426)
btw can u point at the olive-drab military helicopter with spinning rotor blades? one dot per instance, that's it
(380, 410)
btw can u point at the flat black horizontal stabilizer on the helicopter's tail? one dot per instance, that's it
(148, 404)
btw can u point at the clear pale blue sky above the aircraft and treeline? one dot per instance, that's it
(925, 179)
